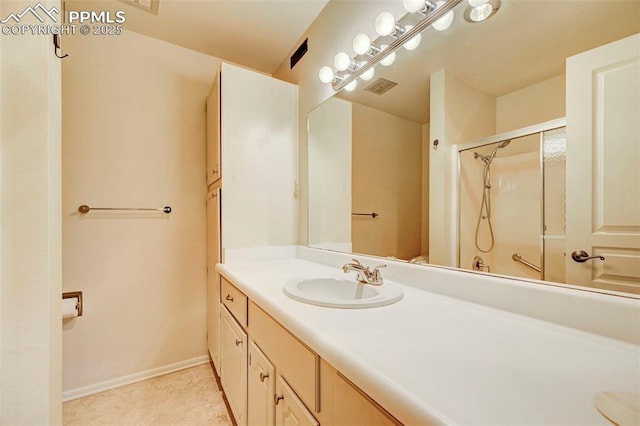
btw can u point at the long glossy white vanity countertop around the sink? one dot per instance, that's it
(432, 358)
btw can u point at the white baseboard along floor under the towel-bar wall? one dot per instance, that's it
(76, 393)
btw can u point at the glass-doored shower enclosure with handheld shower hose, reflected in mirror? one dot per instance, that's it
(511, 203)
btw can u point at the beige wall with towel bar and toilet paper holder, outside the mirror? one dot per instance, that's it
(134, 136)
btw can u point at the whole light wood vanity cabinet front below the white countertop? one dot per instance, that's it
(271, 377)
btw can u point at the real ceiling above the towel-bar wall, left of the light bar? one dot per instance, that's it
(257, 34)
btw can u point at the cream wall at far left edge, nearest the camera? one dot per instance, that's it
(30, 254)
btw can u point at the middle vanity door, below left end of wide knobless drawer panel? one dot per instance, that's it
(262, 388)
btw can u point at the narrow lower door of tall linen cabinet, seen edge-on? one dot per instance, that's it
(213, 279)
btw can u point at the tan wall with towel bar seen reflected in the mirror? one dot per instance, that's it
(387, 179)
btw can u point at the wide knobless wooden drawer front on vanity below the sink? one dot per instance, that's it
(295, 361)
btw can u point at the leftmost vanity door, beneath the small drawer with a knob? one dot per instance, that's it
(233, 371)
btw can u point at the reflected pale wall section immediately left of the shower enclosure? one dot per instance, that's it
(459, 114)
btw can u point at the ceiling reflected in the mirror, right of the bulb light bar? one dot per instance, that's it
(526, 42)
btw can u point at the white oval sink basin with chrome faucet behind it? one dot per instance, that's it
(341, 292)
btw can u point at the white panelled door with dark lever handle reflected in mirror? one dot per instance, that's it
(603, 166)
